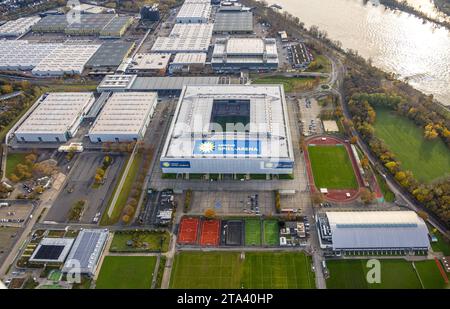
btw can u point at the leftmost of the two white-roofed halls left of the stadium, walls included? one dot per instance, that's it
(56, 118)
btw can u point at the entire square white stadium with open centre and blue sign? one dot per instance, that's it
(223, 129)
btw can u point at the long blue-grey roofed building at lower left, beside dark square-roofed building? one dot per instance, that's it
(86, 251)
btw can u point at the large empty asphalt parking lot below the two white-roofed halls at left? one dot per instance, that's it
(80, 187)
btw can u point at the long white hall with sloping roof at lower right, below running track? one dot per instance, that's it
(377, 230)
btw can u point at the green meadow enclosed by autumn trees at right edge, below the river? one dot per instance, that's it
(406, 141)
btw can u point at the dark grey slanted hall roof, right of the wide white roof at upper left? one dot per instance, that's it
(110, 54)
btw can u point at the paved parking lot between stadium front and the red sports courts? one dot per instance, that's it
(239, 203)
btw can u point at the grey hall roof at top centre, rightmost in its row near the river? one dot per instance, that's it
(234, 21)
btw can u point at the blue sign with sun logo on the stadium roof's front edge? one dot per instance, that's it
(227, 147)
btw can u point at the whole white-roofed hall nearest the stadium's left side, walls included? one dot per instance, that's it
(124, 118)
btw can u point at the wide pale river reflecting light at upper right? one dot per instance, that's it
(395, 42)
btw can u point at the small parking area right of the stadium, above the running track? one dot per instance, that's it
(310, 121)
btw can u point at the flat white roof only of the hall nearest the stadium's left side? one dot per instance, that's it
(124, 112)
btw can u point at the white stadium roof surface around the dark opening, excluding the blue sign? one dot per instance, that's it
(268, 121)
